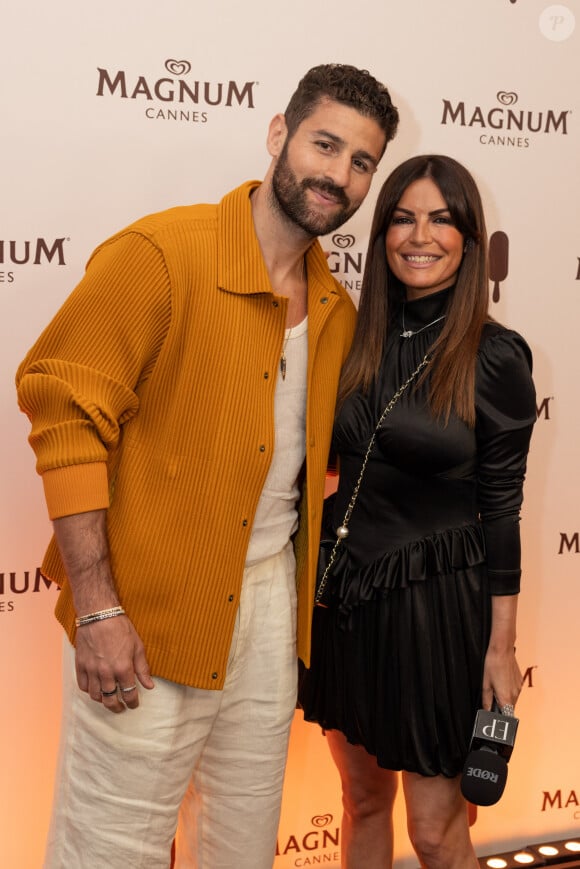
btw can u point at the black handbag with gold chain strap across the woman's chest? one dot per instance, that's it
(332, 558)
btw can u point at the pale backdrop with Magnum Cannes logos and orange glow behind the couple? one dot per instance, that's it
(113, 110)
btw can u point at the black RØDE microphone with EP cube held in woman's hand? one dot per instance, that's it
(484, 774)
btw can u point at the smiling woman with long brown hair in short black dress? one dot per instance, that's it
(420, 626)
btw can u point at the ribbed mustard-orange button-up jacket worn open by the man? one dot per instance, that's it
(151, 393)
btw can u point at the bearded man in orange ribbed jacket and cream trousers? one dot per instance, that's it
(181, 403)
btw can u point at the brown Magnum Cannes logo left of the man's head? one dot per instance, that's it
(175, 88)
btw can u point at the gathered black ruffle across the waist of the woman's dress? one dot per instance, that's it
(436, 555)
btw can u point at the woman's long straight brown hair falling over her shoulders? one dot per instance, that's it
(452, 370)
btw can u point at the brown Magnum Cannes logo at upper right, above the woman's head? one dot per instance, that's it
(505, 118)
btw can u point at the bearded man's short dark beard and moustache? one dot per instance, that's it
(289, 196)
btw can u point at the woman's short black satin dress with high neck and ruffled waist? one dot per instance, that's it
(397, 658)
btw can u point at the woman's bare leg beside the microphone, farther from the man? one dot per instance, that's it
(437, 822)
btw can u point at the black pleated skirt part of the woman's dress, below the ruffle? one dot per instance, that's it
(400, 672)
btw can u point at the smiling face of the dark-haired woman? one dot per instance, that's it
(424, 248)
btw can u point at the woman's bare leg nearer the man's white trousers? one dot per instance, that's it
(368, 794)
